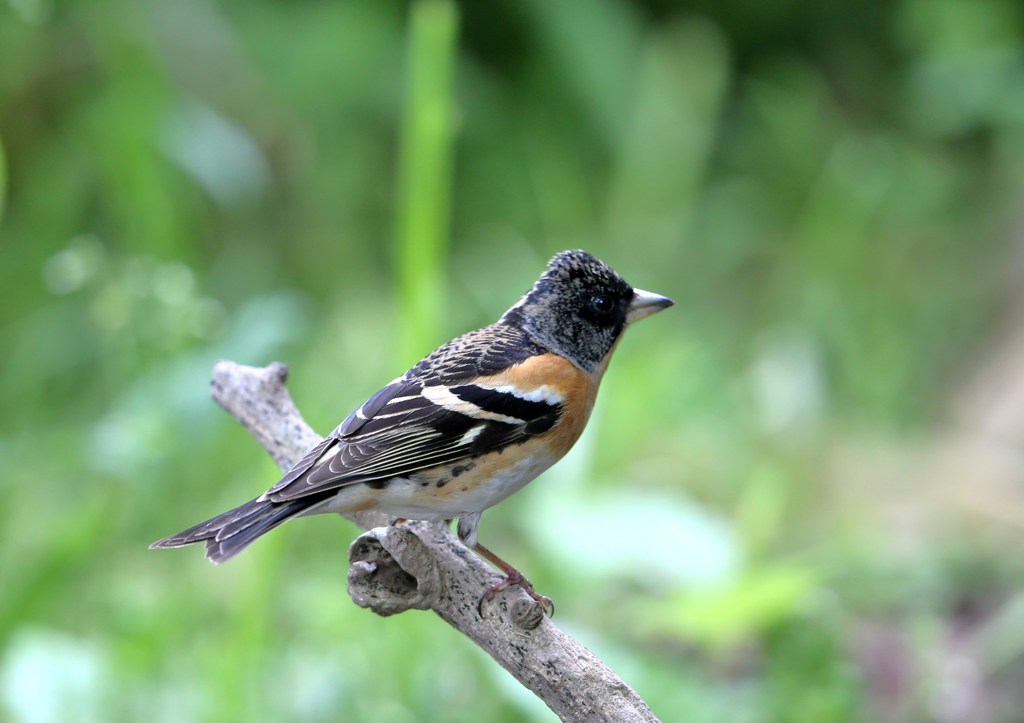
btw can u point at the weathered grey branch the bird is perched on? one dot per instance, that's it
(423, 567)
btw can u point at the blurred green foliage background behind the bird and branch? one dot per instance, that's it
(802, 495)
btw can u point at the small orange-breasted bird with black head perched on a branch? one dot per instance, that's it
(467, 427)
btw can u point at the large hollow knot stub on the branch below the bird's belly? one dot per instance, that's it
(392, 571)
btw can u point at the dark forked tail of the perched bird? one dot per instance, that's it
(231, 533)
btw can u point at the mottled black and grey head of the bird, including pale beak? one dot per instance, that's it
(580, 307)
